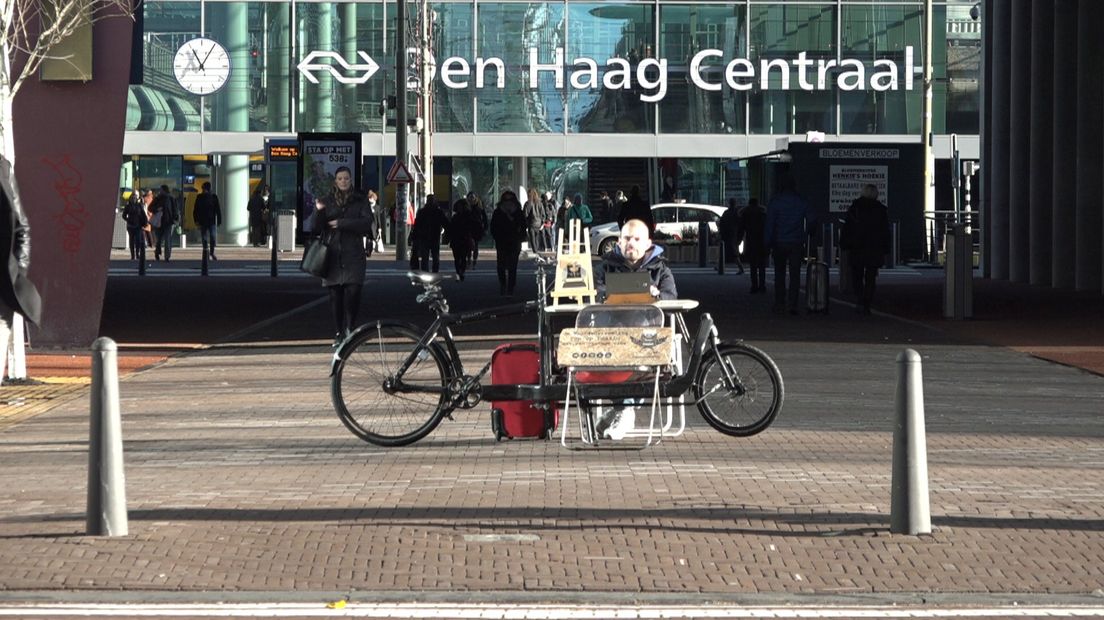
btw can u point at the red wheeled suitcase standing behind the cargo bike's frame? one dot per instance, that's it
(519, 364)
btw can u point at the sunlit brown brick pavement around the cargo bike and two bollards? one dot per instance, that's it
(241, 479)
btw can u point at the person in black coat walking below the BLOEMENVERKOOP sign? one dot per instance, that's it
(866, 237)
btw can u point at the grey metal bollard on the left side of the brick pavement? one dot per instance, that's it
(108, 499)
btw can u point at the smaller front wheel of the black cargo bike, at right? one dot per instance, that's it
(739, 390)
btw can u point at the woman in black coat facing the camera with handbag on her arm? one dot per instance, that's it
(344, 219)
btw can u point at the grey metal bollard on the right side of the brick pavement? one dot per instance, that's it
(909, 504)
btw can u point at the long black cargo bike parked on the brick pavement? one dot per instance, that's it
(394, 382)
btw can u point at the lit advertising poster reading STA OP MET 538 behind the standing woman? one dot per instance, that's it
(321, 156)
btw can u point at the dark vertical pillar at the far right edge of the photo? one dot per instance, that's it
(1090, 145)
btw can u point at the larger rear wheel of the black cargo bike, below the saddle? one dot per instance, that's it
(377, 404)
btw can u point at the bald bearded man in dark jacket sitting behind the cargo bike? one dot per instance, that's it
(634, 253)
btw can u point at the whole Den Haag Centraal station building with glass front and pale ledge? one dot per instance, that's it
(689, 101)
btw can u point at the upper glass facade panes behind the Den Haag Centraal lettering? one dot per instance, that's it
(603, 55)
